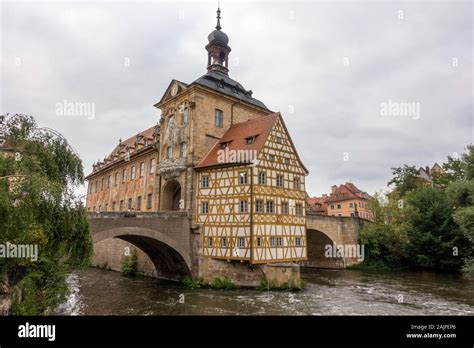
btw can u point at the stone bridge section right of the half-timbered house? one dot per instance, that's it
(324, 231)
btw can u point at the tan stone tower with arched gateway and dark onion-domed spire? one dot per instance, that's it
(194, 117)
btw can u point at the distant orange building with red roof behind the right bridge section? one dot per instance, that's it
(344, 200)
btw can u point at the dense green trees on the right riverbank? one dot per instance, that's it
(422, 225)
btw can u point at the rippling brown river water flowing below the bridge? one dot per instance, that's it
(100, 292)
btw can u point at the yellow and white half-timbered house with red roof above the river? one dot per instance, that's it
(251, 196)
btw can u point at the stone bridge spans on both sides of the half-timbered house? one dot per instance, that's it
(171, 247)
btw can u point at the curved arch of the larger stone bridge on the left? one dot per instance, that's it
(169, 258)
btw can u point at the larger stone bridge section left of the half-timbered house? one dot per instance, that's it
(163, 236)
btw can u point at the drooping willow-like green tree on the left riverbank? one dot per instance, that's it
(38, 172)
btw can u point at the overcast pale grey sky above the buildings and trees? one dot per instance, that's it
(327, 66)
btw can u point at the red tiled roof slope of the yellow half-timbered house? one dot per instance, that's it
(236, 137)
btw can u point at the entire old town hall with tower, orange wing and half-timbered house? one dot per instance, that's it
(219, 154)
